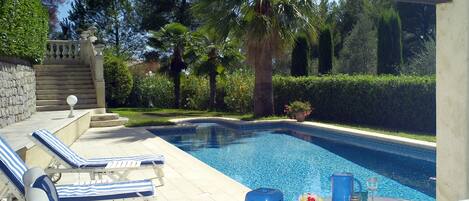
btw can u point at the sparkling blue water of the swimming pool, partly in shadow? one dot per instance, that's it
(296, 163)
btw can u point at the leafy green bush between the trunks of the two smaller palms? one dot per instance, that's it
(195, 92)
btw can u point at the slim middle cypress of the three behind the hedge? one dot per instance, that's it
(326, 50)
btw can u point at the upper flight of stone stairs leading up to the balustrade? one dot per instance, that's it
(55, 82)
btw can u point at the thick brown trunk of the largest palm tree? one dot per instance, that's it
(263, 90)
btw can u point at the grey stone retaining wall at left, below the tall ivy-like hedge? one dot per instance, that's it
(17, 92)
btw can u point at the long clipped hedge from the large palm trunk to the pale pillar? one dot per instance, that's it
(396, 102)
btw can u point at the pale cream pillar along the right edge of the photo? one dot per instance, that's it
(453, 100)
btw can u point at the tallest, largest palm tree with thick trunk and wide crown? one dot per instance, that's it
(265, 26)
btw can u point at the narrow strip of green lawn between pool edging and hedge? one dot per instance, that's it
(160, 117)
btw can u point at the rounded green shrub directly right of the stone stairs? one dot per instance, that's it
(118, 80)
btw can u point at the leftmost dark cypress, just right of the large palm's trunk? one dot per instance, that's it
(300, 56)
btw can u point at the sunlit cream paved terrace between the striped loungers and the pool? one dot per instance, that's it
(186, 178)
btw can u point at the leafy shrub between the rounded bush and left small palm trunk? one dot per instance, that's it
(156, 91)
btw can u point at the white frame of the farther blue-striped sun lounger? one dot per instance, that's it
(116, 174)
